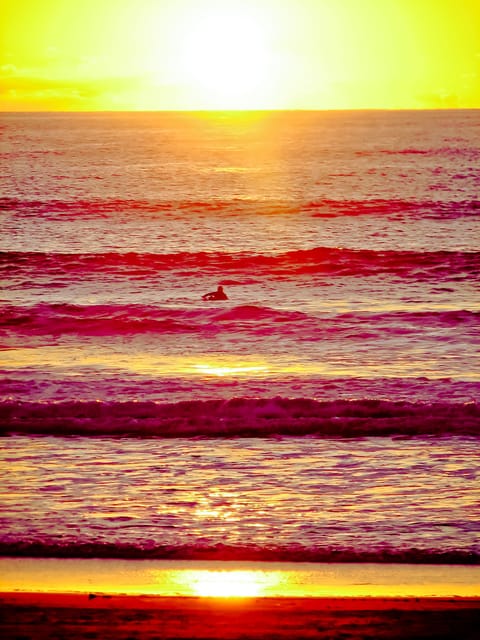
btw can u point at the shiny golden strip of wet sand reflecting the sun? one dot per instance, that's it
(237, 579)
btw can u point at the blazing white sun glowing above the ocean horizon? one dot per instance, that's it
(224, 56)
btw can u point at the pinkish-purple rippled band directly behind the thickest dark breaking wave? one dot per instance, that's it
(42, 384)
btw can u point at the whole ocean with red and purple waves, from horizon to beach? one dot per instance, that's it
(326, 411)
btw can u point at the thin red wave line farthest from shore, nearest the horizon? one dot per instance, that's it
(325, 207)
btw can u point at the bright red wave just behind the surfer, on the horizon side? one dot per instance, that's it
(335, 262)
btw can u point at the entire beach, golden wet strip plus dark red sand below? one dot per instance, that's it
(57, 598)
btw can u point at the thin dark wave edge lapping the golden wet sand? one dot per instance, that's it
(225, 552)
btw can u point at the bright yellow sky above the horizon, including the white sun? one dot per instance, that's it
(90, 55)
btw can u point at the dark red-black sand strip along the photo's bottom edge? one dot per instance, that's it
(90, 616)
